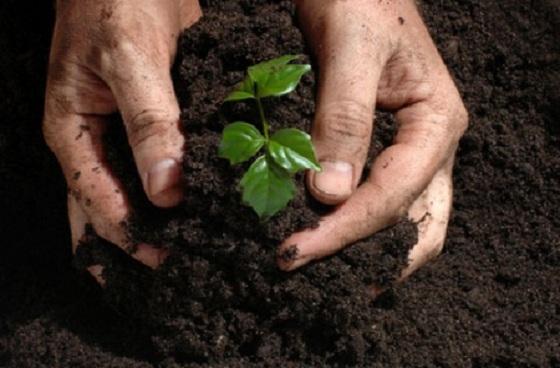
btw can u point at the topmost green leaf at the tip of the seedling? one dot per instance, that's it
(277, 77)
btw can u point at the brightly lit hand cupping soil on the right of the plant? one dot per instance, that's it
(378, 53)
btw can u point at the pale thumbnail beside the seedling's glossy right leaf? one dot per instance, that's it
(335, 178)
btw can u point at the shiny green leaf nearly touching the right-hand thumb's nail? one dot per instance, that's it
(292, 149)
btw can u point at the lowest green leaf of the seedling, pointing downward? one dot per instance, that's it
(267, 188)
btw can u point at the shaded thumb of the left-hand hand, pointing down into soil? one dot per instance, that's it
(145, 96)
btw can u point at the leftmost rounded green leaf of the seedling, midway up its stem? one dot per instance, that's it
(240, 142)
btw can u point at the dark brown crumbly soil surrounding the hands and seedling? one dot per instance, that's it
(491, 299)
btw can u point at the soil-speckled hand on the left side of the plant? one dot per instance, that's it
(110, 55)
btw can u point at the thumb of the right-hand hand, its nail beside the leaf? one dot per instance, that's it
(350, 63)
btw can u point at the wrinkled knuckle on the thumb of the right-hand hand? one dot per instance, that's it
(346, 122)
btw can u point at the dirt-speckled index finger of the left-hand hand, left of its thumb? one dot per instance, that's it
(77, 142)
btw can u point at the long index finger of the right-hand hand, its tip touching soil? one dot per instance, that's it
(399, 175)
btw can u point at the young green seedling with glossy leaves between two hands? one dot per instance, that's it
(268, 184)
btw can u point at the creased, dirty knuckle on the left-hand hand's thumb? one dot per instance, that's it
(147, 124)
